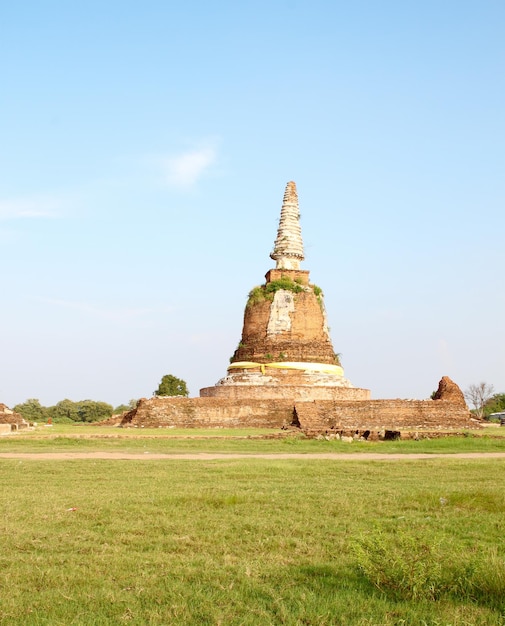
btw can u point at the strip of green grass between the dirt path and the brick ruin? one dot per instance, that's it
(83, 438)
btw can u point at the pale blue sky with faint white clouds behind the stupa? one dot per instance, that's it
(144, 151)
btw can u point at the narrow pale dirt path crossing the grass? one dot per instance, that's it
(211, 456)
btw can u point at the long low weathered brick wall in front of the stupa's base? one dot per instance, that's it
(317, 415)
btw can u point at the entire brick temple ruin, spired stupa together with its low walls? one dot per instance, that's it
(285, 372)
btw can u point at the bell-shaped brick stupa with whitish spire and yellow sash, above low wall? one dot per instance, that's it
(285, 350)
